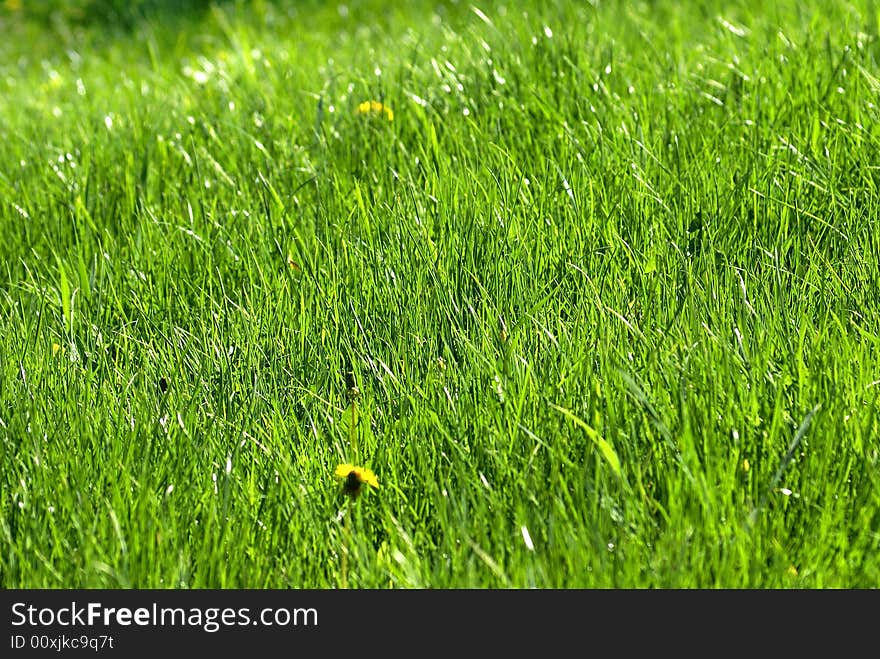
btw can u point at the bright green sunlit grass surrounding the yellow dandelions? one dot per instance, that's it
(607, 284)
